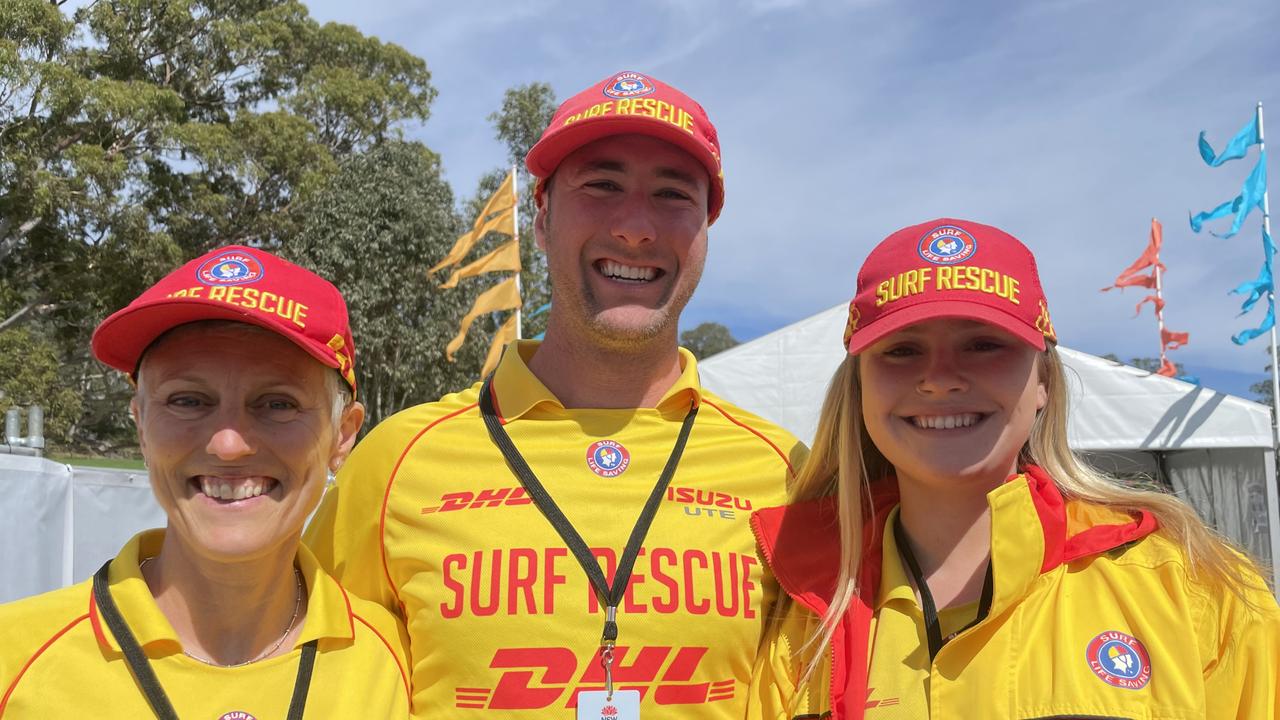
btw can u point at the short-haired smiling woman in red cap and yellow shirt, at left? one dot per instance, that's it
(245, 404)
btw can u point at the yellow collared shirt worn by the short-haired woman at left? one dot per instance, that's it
(58, 659)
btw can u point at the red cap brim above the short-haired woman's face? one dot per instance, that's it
(122, 339)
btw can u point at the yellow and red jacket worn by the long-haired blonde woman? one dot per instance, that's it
(1071, 581)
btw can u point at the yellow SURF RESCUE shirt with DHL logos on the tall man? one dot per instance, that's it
(428, 520)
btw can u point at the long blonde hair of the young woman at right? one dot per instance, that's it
(845, 463)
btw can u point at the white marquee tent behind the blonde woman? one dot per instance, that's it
(1213, 449)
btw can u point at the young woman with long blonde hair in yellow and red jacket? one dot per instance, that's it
(947, 555)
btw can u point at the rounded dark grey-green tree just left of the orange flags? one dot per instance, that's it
(374, 230)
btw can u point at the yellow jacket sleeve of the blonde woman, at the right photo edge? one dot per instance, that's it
(1242, 676)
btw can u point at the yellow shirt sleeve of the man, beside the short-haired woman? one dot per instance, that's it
(346, 532)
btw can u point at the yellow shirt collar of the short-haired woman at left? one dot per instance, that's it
(328, 608)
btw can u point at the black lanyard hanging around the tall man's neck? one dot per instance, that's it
(611, 598)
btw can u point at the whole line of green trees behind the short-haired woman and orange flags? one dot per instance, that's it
(136, 135)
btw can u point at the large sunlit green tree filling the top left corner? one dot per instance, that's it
(139, 134)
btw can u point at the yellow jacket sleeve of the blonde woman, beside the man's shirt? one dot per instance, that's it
(776, 691)
